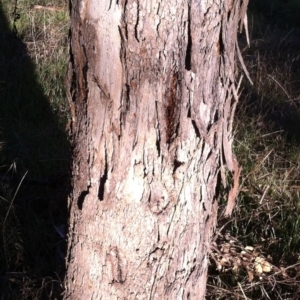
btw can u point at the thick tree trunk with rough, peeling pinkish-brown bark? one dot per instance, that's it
(153, 92)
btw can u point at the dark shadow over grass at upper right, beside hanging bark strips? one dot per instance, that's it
(273, 61)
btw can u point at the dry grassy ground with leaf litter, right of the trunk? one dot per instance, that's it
(265, 225)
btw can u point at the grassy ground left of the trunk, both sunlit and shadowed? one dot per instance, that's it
(35, 154)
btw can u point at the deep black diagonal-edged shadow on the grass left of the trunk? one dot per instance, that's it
(34, 180)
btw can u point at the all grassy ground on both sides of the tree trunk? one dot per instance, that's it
(255, 254)
